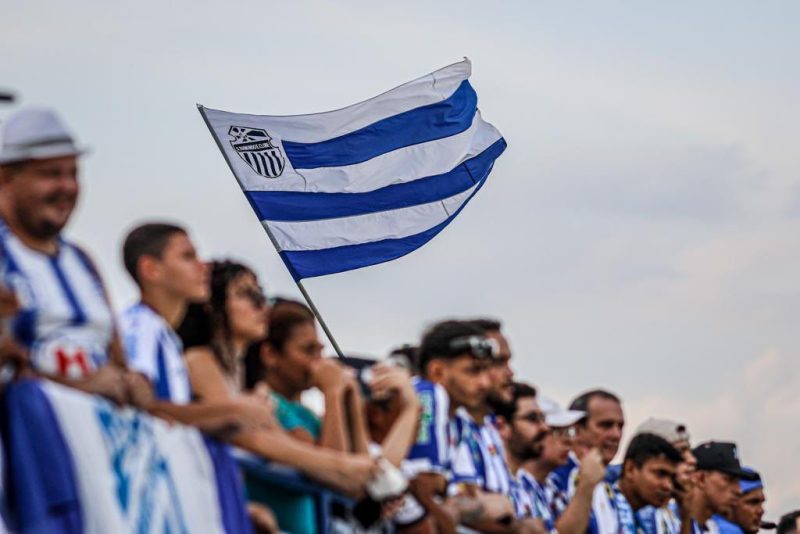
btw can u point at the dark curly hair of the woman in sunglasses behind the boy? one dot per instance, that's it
(207, 324)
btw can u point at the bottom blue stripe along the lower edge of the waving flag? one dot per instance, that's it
(311, 263)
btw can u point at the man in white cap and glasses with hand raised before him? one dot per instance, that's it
(538, 478)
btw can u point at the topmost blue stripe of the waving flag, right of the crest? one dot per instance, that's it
(420, 125)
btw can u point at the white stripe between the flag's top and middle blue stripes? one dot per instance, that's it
(405, 164)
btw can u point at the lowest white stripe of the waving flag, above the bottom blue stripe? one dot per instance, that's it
(392, 224)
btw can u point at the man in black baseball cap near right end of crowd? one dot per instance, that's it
(716, 484)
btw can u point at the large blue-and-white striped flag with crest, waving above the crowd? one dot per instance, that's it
(367, 183)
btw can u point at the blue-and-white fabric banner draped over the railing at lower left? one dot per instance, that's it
(77, 464)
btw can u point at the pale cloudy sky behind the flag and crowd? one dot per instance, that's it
(640, 232)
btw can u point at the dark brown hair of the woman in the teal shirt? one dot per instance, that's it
(286, 314)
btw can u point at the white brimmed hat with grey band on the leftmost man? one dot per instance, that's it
(35, 133)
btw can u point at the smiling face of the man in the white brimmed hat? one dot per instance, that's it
(42, 194)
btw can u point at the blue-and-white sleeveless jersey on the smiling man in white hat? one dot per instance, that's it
(65, 320)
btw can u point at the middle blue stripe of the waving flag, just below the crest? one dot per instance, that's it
(295, 206)
